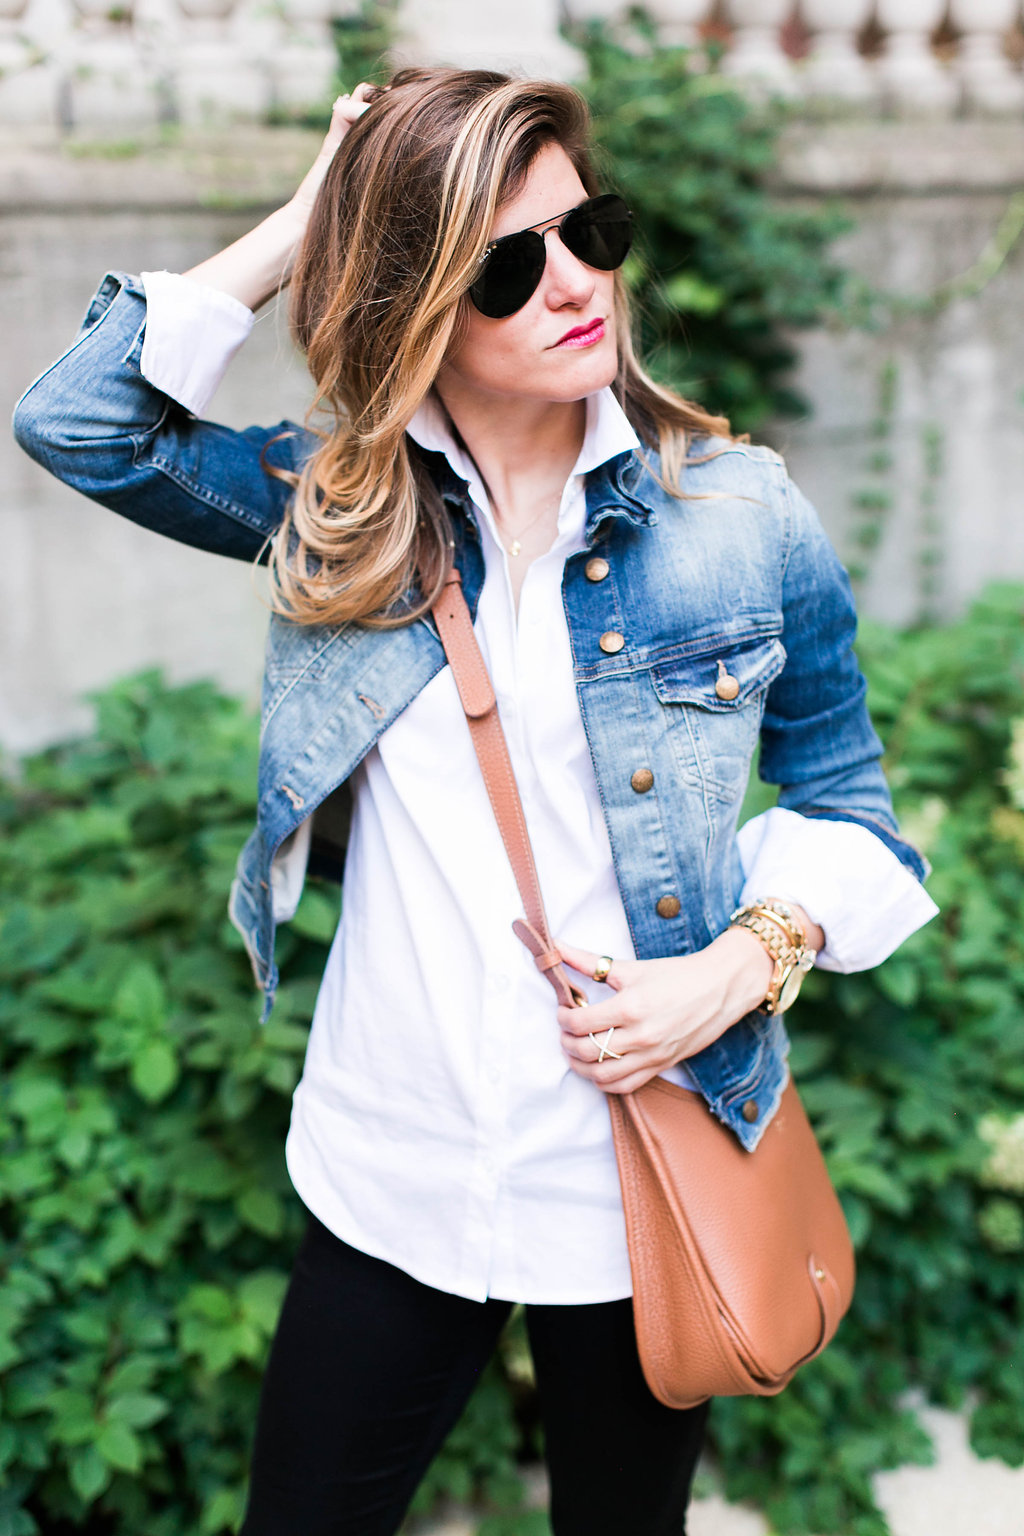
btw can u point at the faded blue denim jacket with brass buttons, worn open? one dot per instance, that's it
(736, 581)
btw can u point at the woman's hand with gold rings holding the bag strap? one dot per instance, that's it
(662, 1011)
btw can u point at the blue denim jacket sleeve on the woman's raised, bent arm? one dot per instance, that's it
(97, 425)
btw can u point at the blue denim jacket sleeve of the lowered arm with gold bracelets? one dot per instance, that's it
(818, 740)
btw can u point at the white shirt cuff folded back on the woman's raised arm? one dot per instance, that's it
(193, 333)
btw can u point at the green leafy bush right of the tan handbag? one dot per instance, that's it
(914, 1074)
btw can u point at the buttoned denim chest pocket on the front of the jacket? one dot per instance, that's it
(713, 704)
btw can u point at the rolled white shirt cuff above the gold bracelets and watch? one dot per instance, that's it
(845, 878)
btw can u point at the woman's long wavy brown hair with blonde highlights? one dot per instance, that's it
(378, 299)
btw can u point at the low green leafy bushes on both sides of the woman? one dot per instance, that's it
(145, 1210)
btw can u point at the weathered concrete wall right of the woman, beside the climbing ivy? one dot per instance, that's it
(940, 213)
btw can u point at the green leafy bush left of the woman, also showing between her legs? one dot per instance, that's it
(147, 1216)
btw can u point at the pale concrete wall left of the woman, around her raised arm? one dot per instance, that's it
(84, 595)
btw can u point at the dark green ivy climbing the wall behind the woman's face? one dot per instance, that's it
(724, 268)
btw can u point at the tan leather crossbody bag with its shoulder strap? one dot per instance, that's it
(742, 1262)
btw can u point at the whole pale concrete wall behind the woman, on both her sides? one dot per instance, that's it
(87, 598)
